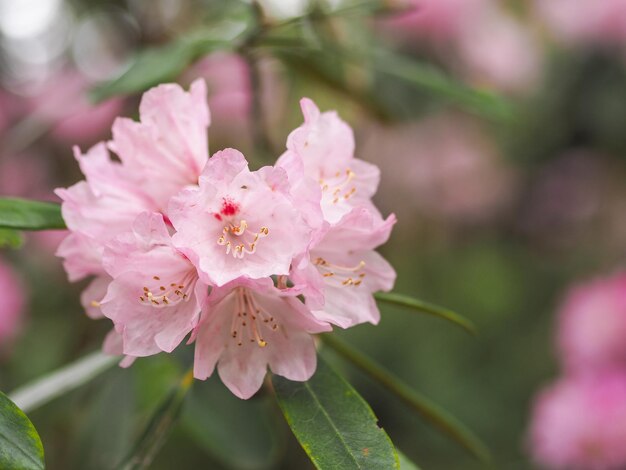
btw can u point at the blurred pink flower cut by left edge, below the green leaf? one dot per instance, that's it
(12, 301)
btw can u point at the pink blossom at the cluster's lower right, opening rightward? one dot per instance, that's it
(344, 270)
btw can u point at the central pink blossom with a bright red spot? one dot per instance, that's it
(238, 222)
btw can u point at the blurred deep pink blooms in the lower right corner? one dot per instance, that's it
(580, 421)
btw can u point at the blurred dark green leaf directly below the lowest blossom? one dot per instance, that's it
(213, 415)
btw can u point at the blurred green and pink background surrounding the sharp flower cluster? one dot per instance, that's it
(502, 202)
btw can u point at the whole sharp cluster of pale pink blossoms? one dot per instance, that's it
(247, 264)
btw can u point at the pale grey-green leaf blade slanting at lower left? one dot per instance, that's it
(57, 383)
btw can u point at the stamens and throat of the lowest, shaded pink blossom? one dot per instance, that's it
(250, 320)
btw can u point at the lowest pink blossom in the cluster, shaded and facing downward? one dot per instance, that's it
(250, 325)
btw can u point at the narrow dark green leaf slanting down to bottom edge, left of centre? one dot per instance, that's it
(158, 428)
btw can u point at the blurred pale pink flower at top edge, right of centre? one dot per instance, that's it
(480, 38)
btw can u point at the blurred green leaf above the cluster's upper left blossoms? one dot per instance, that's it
(164, 64)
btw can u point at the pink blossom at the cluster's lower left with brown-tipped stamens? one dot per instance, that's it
(155, 298)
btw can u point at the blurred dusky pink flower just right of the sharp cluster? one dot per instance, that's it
(440, 166)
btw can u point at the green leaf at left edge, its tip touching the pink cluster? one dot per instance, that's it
(24, 214)
